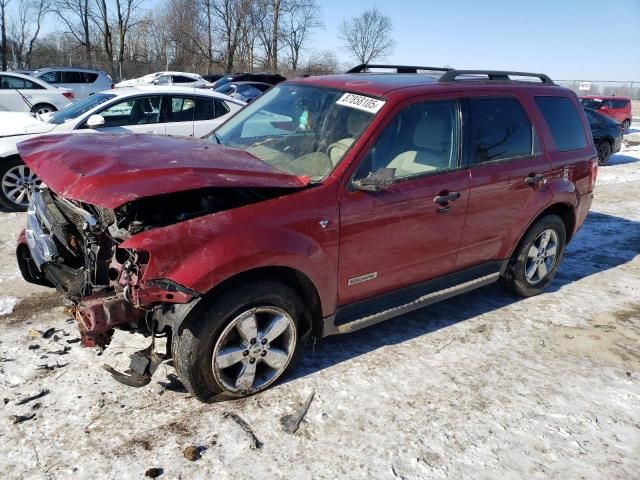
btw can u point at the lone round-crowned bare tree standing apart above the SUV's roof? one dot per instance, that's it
(368, 36)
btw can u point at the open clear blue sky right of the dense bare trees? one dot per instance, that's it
(566, 39)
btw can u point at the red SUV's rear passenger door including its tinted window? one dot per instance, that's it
(508, 175)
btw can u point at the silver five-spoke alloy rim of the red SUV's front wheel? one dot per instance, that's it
(254, 349)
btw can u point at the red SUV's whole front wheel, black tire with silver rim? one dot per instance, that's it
(240, 343)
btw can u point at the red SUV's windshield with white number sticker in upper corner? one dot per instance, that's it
(300, 129)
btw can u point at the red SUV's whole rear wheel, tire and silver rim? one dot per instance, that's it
(537, 258)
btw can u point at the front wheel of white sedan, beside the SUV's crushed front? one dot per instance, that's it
(16, 181)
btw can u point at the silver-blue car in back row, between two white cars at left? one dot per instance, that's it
(83, 81)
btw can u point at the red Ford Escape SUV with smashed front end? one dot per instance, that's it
(328, 205)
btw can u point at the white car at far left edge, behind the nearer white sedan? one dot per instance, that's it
(22, 93)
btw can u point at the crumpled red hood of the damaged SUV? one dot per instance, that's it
(111, 170)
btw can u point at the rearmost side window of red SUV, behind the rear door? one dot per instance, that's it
(564, 122)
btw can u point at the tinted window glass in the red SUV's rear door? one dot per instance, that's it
(500, 130)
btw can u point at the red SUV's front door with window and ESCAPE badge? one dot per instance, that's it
(410, 231)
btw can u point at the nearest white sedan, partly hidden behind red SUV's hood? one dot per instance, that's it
(151, 110)
